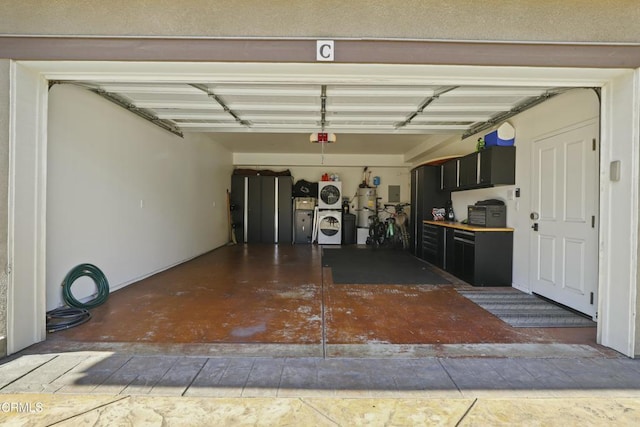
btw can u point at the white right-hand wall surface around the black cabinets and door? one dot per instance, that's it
(576, 106)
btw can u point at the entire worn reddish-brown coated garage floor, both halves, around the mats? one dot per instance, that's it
(274, 294)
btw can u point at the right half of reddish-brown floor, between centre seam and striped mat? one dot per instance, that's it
(404, 314)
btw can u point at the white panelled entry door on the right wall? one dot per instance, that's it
(564, 218)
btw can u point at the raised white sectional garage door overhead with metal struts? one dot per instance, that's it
(406, 114)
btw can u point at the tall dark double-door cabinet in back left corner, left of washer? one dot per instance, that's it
(263, 210)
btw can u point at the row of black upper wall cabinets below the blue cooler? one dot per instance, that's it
(492, 166)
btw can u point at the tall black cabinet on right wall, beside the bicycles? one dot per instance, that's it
(425, 195)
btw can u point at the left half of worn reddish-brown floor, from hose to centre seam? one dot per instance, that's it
(234, 294)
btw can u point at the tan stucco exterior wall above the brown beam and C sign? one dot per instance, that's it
(515, 20)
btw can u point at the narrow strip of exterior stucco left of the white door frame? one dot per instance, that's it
(4, 186)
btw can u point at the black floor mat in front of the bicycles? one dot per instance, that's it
(352, 265)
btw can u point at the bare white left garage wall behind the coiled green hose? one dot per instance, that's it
(125, 195)
